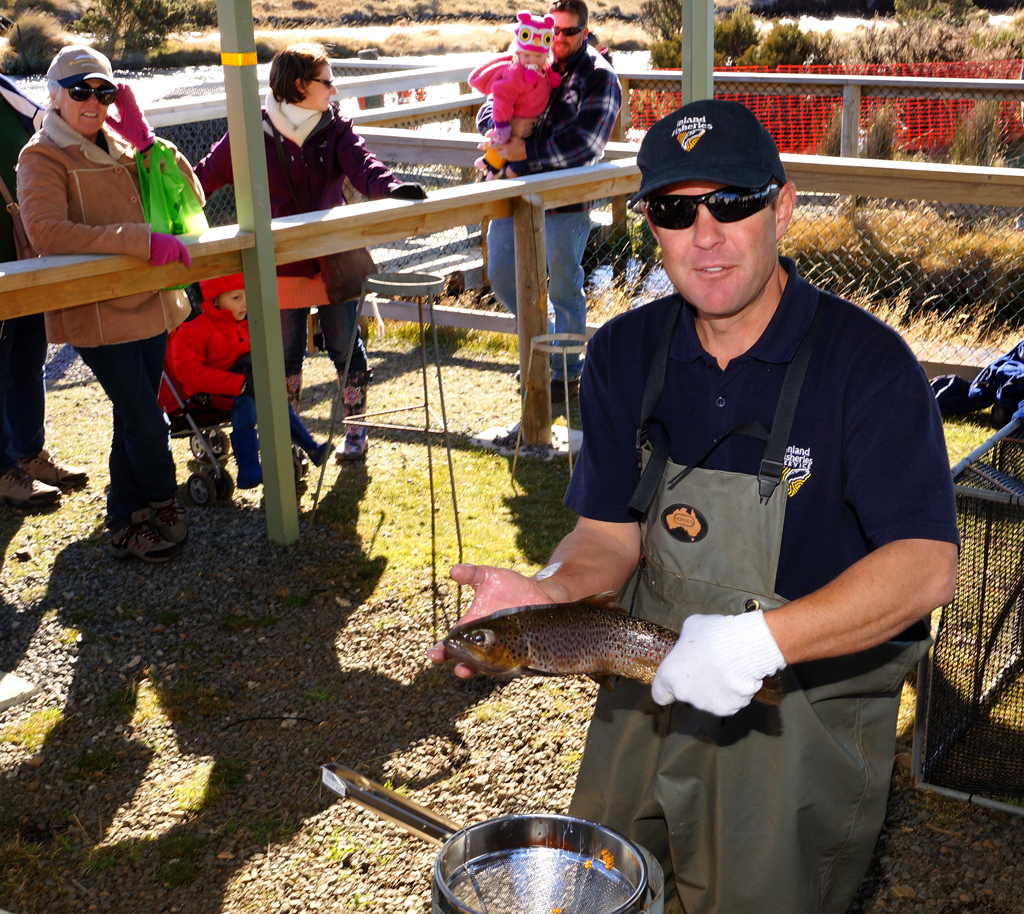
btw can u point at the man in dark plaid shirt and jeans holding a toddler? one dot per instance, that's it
(573, 132)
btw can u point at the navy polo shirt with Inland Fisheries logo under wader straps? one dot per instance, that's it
(867, 442)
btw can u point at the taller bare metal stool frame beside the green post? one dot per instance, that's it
(421, 287)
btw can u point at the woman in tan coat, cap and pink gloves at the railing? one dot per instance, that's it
(79, 193)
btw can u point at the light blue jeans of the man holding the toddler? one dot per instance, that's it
(566, 241)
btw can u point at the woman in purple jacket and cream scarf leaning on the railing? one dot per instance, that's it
(306, 135)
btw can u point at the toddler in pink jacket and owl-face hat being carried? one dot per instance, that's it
(520, 83)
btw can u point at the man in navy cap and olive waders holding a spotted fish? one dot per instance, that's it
(763, 472)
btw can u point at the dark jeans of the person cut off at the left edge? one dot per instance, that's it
(23, 398)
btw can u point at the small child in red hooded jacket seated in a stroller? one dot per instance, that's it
(211, 356)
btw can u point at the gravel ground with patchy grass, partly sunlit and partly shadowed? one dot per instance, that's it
(199, 699)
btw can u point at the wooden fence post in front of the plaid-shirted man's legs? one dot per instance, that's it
(532, 310)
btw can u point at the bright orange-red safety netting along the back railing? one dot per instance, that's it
(800, 122)
